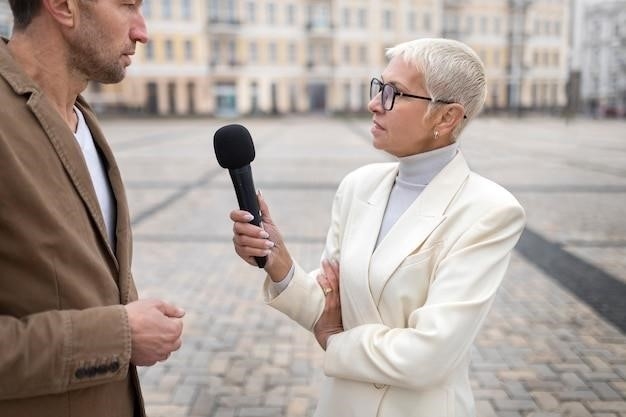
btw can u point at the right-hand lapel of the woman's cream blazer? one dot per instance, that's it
(416, 224)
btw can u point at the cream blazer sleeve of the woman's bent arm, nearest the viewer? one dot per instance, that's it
(440, 333)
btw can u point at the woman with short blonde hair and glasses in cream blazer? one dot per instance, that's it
(420, 246)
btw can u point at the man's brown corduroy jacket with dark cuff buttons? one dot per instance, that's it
(64, 336)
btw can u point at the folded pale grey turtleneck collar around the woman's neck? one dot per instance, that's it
(421, 168)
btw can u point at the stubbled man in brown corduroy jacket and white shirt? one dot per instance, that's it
(71, 330)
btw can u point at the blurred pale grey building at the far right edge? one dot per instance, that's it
(603, 58)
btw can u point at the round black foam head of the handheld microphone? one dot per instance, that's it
(233, 146)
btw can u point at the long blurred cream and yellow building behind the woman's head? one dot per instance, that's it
(236, 57)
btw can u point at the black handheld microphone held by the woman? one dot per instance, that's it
(235, 151)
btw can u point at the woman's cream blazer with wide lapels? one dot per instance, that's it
(413, 305)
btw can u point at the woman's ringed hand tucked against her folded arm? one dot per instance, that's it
(330, 322)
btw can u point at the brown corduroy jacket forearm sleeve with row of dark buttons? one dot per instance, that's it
(57, 351)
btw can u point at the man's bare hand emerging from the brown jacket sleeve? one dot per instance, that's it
(155, 329)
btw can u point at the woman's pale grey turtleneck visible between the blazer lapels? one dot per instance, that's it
(414, 173)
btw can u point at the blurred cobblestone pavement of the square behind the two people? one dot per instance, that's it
(547, 348)
